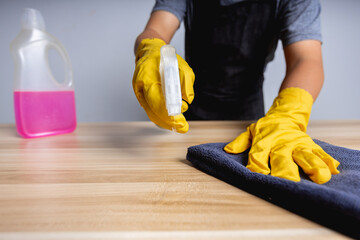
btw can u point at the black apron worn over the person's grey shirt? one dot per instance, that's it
(228, 48)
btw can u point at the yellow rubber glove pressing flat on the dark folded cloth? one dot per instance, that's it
(281, 136)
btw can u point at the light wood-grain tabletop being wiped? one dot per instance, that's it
(131, 180)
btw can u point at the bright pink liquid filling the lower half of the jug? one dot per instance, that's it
(44, 113)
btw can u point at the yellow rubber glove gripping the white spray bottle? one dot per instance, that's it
(148, 90)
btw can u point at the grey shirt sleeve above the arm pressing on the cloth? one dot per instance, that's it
(299, 20)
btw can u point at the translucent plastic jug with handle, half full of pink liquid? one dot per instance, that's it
(43, 105)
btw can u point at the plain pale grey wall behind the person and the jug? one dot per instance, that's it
(99, 37)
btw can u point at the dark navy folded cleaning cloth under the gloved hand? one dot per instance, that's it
(335, 204)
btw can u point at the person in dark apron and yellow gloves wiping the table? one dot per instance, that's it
(228, 45)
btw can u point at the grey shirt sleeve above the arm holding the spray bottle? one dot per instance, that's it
(176, 7)
